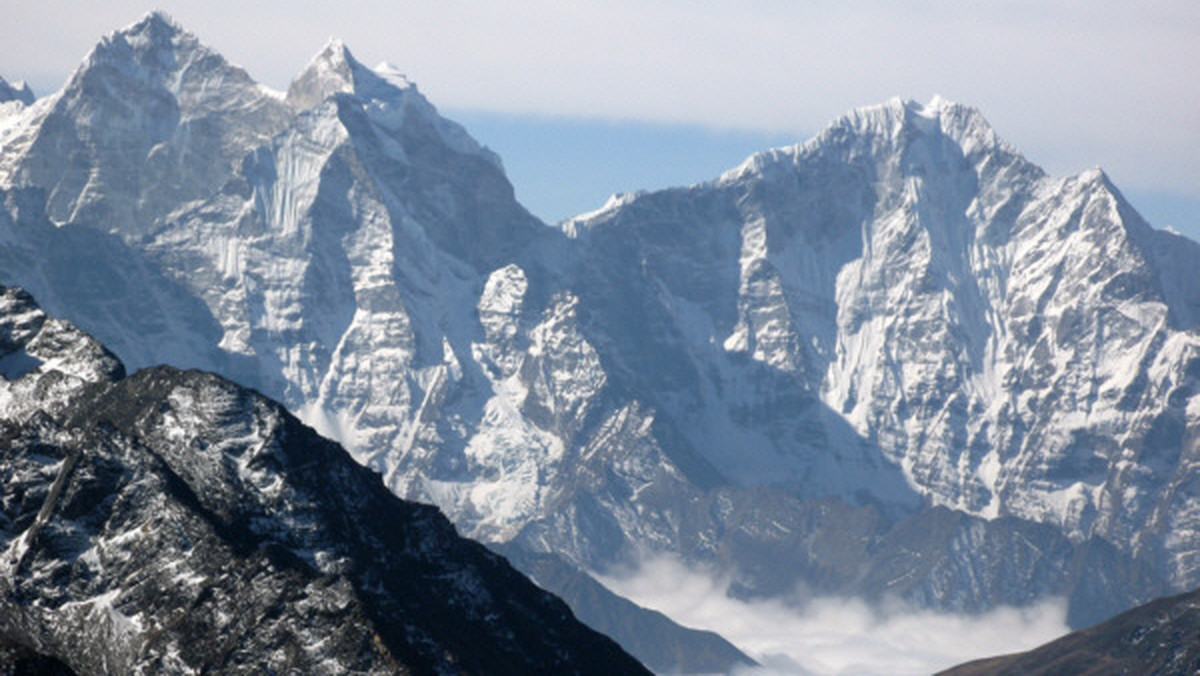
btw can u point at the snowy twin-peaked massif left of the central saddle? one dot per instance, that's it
(334, 248)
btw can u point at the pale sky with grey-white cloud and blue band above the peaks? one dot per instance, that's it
(586, 98)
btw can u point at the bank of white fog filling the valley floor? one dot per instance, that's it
(835, 637)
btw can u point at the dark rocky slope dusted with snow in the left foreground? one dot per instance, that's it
(175, 522)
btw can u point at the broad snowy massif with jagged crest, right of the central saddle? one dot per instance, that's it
(1016, 344)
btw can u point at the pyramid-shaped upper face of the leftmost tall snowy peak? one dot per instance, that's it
(151, 122)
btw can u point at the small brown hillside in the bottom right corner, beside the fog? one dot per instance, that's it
(1161, 638)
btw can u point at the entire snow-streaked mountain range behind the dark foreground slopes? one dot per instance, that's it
(896, 360)
